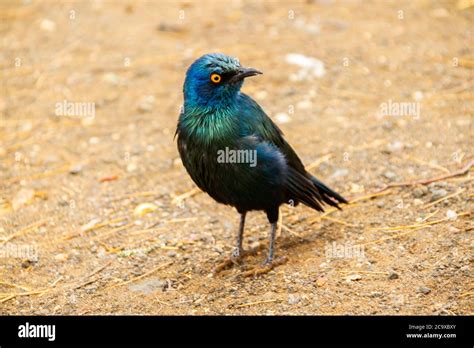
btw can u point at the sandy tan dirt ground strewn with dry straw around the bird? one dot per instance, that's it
(72, 238)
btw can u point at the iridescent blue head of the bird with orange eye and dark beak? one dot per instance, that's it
(214, 80)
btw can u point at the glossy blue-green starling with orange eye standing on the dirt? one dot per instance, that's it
(261, 171)
